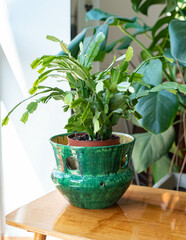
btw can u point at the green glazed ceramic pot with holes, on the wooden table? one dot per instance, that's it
(92, 177)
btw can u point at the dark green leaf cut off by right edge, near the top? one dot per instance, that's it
(177, 31)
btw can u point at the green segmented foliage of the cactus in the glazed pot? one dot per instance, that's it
(98, 100)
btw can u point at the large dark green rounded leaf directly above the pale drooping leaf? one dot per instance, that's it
(158, 110)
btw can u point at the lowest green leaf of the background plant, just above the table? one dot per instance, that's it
(161, 168)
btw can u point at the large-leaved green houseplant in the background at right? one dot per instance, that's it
(159, 44)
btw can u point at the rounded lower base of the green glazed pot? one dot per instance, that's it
(93, 192)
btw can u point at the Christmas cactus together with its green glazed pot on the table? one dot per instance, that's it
(90, 176)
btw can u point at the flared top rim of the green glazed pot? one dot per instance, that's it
(115, 133)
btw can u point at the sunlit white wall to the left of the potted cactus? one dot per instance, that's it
(27, 157)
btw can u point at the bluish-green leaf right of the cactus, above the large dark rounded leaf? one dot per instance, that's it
(152, 71)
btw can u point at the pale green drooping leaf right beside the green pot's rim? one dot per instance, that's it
(149, 148)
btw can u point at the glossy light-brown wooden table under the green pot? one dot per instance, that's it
(142, 213)
